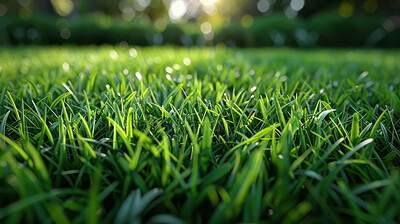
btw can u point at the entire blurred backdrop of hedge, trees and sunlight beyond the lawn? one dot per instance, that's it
(232, 23)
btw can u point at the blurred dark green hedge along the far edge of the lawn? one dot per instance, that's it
(326, 29)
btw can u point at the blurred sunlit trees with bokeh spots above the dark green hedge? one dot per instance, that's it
(153, 9)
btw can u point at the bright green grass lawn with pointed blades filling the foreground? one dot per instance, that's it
(174, 135)
